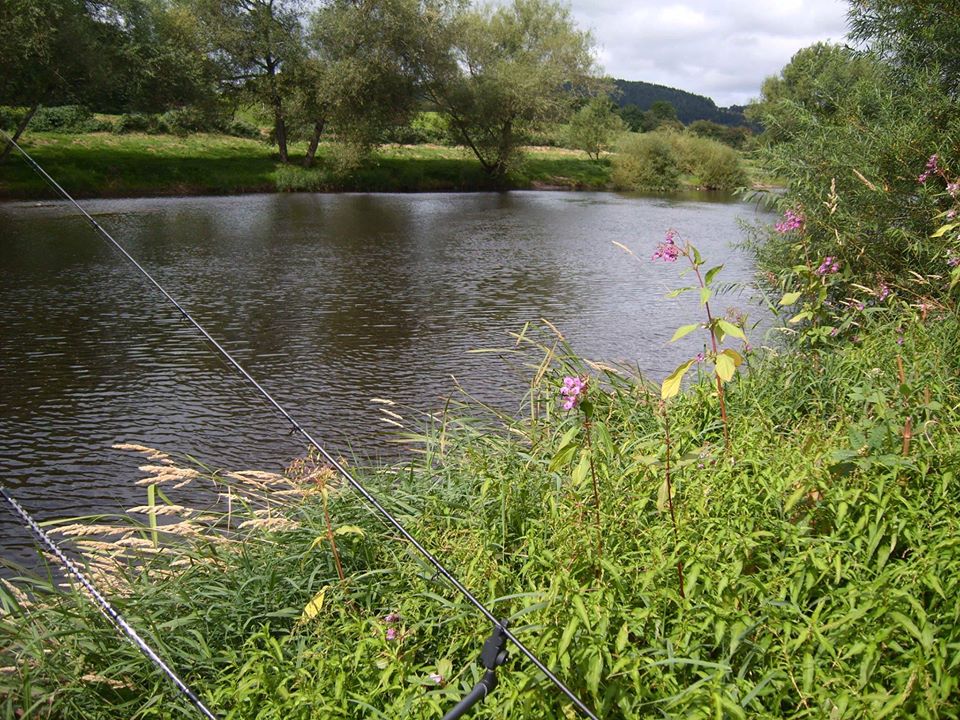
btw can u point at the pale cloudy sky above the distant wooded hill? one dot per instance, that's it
(719, 48)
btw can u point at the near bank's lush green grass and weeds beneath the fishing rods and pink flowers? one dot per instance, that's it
(811, 571)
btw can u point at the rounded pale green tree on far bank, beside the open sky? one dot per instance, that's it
(501, 73)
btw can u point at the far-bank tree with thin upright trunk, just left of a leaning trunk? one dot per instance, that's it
(255, 39)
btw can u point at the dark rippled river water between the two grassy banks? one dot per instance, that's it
(329, 300)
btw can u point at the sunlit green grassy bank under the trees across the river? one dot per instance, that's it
(108, 165)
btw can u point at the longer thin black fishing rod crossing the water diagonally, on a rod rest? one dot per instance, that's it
(499, 626)
